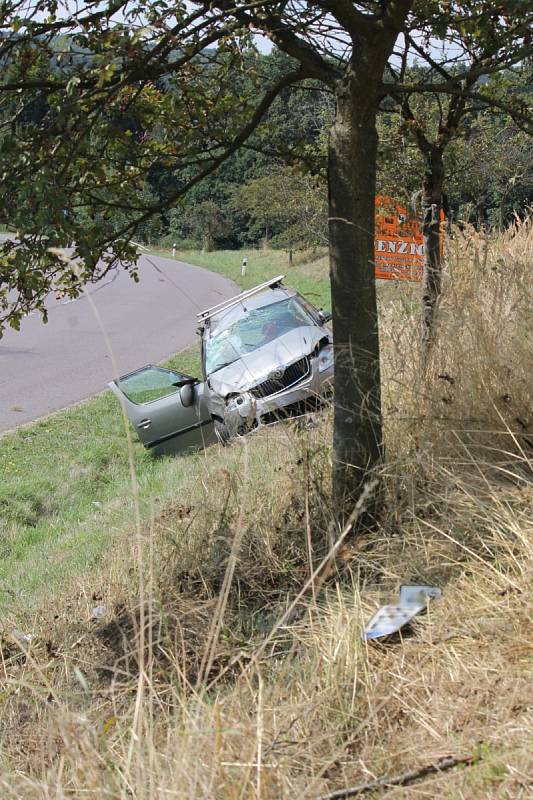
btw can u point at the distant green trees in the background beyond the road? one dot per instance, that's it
(273, 192)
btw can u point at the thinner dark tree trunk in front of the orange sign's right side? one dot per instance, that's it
(432, 202)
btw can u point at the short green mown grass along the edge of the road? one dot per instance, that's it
(65, 485)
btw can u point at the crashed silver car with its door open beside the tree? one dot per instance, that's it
(266, 354)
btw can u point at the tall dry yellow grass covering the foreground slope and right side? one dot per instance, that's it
(198, 693)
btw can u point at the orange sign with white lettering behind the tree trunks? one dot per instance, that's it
(398, 242)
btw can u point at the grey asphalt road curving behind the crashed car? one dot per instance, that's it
(47, 367)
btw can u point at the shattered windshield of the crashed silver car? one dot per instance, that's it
(259, 327)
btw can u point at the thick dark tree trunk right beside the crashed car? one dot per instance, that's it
(357, 435)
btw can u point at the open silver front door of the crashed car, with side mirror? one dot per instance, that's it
(167, 409)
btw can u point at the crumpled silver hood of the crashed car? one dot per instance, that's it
(255, 367)
